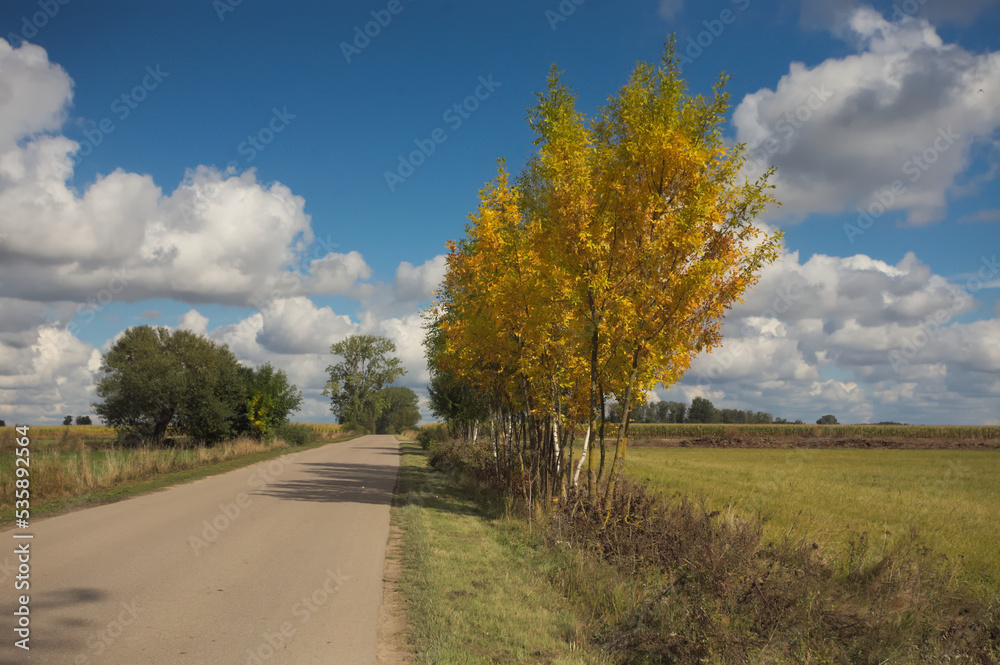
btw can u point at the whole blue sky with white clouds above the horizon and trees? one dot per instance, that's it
(241, 190)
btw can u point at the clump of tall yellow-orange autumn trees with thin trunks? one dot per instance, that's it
(599, 270)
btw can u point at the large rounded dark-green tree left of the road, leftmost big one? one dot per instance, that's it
(152, 379)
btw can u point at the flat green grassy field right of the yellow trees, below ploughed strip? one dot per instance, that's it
(952, 498)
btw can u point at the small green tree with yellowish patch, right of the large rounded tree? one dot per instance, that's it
(269, 400)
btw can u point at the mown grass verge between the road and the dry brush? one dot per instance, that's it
(480, 585)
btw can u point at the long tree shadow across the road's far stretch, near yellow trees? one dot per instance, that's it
(333, 482)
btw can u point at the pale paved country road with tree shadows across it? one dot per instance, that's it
(280, 562)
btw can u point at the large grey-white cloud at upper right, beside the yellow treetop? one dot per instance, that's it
(905, 108)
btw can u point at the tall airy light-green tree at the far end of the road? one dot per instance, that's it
(356, 382)
